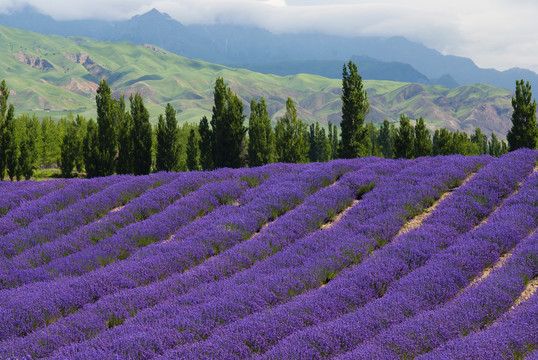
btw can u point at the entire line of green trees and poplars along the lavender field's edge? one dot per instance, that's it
(121, 140)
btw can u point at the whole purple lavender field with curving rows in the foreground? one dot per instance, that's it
(431, 258)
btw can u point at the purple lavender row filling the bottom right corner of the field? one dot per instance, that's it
(514, 336)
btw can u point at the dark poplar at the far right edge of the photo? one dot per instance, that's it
(524, 133)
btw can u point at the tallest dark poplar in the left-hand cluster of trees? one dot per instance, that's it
(107, 137)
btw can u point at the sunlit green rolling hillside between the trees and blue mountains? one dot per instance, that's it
(52, 75)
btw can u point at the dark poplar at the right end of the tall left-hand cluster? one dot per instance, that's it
(142, 136)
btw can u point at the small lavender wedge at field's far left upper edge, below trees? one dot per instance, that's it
(13, 198)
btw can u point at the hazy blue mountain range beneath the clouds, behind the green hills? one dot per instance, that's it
(282, 54)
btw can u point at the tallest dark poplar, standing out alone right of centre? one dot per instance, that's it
(355, 106)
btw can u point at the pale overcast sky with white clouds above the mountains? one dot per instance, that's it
(494, 33)
